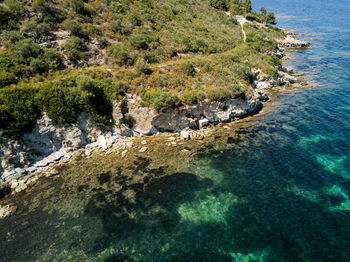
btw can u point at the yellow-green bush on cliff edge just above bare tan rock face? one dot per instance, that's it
(160, 100)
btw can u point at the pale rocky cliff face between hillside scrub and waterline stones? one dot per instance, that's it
(49, 143)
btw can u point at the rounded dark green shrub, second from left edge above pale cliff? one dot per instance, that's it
(58, 103)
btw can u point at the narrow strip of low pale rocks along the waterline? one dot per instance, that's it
(20, 179)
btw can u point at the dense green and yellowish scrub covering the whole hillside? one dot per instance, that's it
(170, 52)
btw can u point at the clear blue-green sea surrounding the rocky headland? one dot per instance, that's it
(279, 191)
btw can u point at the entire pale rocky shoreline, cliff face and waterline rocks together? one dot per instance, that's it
(23, 162)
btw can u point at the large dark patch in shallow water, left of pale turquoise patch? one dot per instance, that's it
(150, 204)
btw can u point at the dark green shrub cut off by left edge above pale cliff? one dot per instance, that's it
(19, 111)
